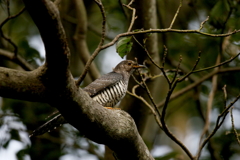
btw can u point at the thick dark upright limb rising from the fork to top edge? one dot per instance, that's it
(56, 74)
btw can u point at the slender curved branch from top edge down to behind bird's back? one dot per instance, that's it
(99, 48)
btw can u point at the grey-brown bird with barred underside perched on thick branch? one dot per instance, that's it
(106, 90)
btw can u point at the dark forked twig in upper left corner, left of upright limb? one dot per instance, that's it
(4, 22)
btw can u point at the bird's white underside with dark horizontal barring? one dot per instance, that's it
(110, 96)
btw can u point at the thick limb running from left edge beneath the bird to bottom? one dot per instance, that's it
(115, 128)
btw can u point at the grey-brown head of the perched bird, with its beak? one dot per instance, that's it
(127, 66)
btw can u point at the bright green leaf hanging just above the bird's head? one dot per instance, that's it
(124, 46)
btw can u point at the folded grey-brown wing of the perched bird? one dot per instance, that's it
(103, 82)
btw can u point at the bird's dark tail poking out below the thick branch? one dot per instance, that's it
(50, 125)
